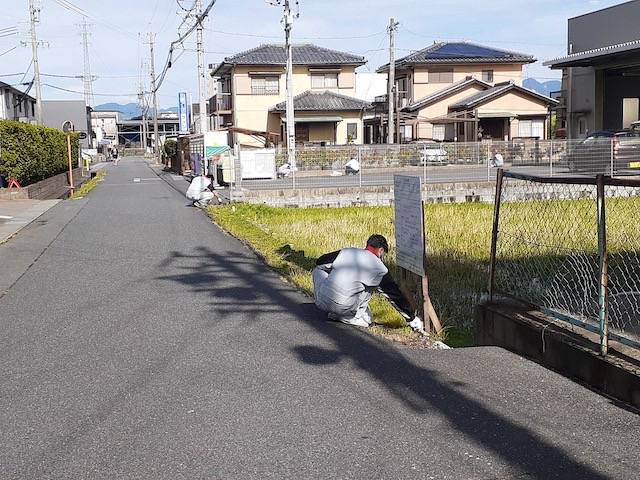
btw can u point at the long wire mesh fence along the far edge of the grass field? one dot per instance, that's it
(457, 162)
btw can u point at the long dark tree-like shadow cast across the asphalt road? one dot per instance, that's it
(256, 291)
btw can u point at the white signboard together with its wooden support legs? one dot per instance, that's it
(410, 244)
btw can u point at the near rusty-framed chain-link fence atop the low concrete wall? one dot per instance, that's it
(571, 246)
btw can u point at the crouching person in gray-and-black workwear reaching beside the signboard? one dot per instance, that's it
(344, 282)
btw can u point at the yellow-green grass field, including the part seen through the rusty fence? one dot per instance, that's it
(540, 243)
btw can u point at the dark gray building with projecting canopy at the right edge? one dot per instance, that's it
(601, 71)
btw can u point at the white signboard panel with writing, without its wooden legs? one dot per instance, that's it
(409, 223)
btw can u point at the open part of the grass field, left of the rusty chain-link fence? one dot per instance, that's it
(459, 238)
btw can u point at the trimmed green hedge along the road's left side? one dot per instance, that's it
(32, 153)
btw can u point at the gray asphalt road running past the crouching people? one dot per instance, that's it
(146, 344)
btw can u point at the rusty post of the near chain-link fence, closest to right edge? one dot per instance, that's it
(603, 291)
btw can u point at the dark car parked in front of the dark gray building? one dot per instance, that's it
(595, 153)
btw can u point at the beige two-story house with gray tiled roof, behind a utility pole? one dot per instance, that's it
(251, 95)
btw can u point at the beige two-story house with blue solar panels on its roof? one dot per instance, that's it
(464, 92)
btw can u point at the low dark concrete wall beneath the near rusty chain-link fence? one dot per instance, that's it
(536, 336)
